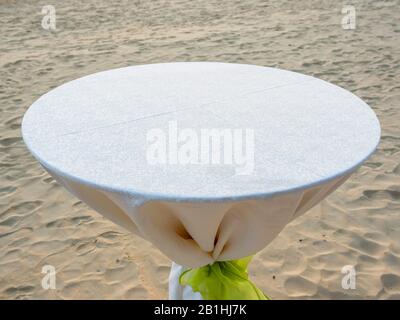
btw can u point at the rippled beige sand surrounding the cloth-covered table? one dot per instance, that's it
(40, 223)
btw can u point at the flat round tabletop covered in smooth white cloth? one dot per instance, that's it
(200, 131)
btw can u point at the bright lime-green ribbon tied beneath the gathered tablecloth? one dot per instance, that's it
(223, 280)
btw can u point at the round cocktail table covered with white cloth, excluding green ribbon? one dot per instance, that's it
(208, 161)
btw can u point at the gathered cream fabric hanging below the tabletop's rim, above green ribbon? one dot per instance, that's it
(194, 234)
